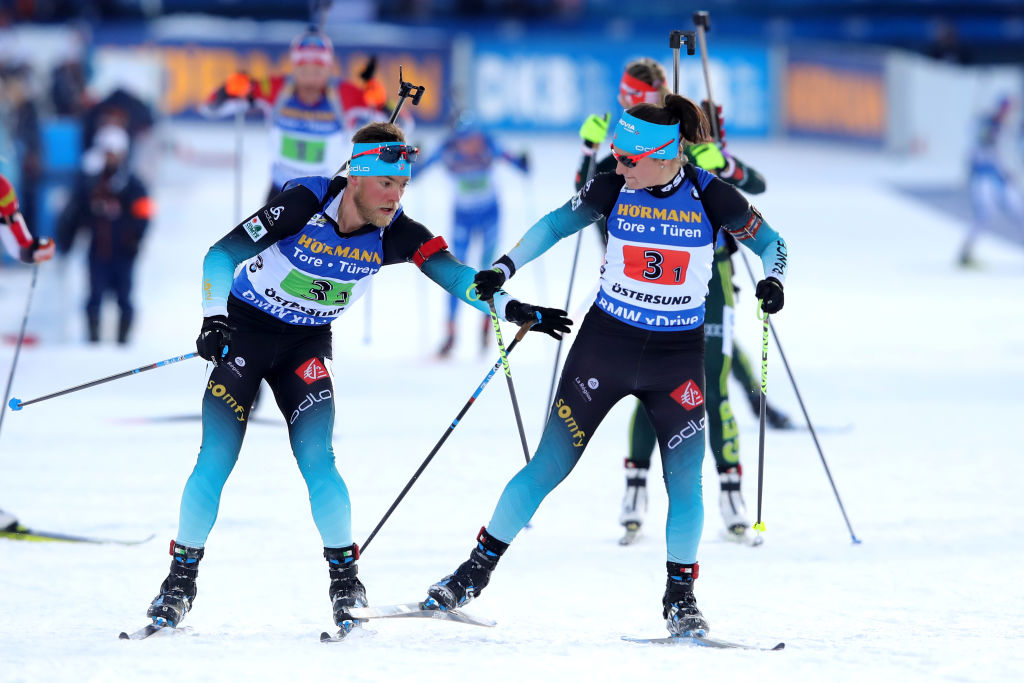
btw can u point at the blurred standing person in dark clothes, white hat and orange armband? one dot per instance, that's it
(112, 203)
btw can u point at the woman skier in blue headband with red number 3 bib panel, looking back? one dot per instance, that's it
(643, 337)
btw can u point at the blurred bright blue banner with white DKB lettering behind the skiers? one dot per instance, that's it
(553, 86)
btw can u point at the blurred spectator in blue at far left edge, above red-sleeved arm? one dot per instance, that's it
(20, 117)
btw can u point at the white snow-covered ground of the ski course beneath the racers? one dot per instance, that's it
(883, 332)
